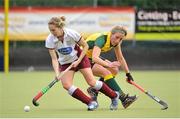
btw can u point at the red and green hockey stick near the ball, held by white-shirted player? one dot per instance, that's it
(45, 89)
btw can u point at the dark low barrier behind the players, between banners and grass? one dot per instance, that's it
(144, 55)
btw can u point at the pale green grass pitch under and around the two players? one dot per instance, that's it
(18, 88)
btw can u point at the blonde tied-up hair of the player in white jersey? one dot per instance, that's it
(57, 21)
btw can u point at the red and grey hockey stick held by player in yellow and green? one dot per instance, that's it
(164, 104)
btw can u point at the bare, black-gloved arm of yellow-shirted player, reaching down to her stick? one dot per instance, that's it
(121, 59)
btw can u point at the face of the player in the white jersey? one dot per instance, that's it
(56, 31)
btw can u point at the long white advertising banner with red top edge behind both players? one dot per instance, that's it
(32, 23)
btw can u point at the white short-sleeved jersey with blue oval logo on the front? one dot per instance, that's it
(66, 49)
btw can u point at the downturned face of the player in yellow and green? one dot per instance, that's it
(116, 38)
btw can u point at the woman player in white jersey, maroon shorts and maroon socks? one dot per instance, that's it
(66, 43)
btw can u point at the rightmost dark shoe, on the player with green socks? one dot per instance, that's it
(128, 100)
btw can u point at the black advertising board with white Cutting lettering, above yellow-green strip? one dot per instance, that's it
(161, 20)
